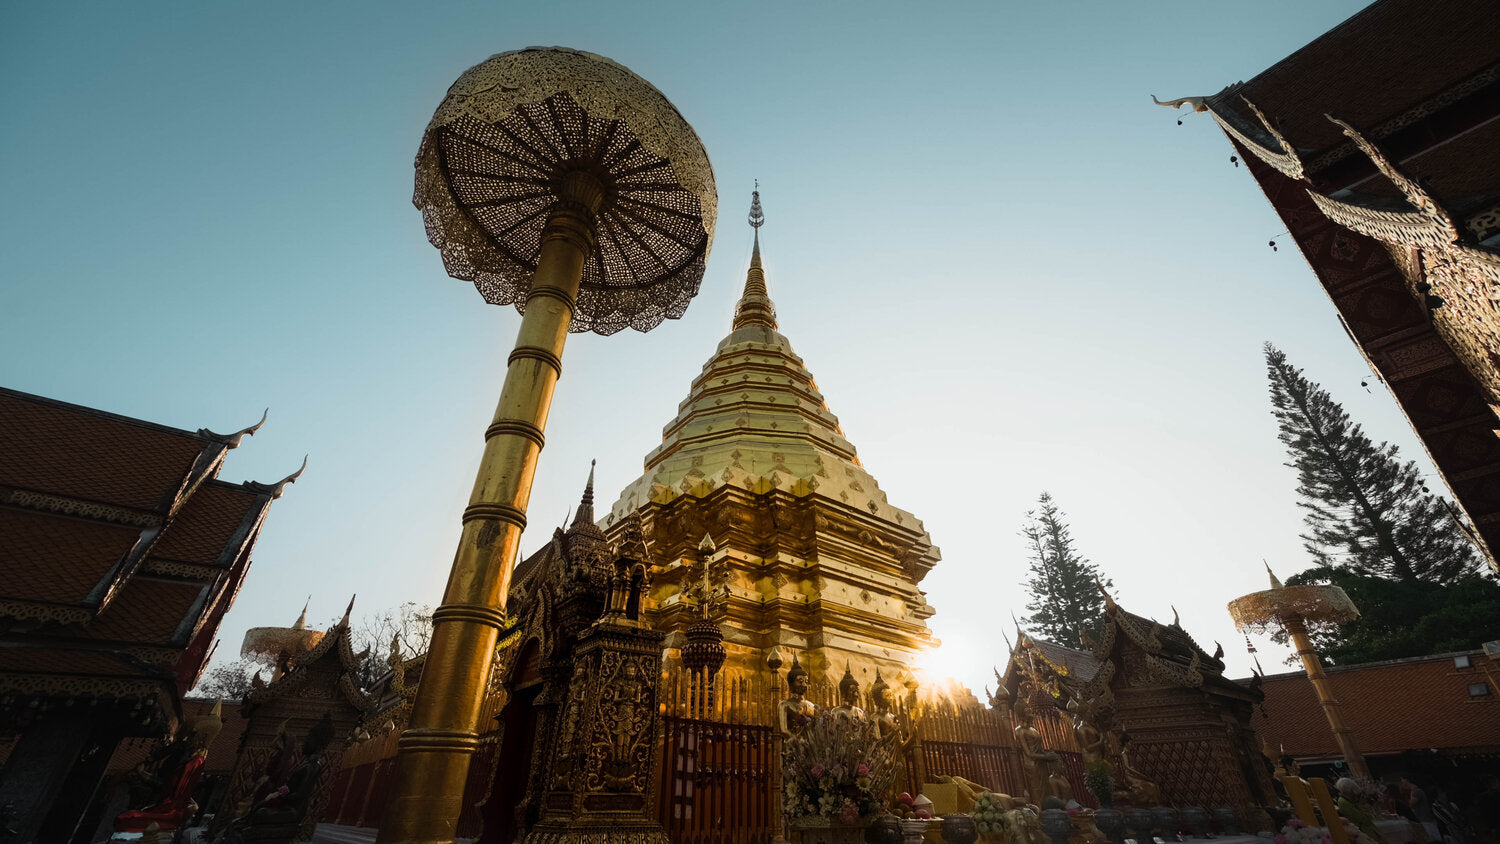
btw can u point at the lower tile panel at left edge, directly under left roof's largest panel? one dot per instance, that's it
(58, 560)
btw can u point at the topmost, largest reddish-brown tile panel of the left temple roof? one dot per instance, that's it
(83, 453)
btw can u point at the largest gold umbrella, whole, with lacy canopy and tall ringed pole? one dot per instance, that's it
(562, 184)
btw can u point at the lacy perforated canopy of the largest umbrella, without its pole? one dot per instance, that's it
(497, 149)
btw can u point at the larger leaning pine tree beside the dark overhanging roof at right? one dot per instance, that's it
(1367, 512)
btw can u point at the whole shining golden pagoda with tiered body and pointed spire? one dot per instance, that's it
(755, 477)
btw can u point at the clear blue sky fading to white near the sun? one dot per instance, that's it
(1009, 271)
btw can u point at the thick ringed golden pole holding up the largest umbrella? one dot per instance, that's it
(436, 749)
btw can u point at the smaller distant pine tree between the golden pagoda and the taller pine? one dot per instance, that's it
(1064, 587)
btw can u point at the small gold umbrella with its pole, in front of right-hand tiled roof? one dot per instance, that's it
(1301, 611)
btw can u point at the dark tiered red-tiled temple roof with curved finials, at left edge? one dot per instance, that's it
(122, 552)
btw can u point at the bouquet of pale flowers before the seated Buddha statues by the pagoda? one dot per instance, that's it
(836, 770)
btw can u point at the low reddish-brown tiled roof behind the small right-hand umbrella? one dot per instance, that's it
(1417, 704)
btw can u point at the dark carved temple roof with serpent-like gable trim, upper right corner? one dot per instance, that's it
(1375, 145)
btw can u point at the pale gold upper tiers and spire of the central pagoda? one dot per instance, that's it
(755, 421)
